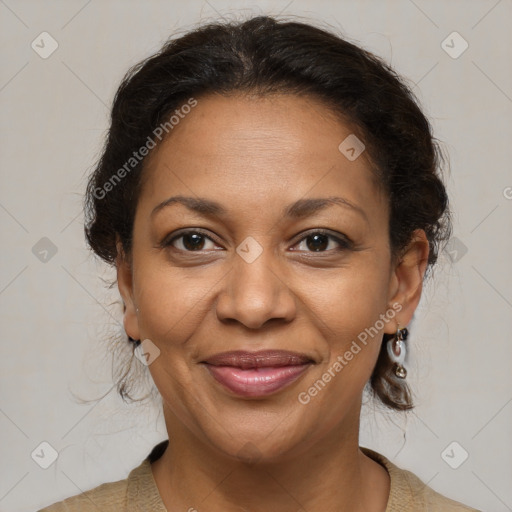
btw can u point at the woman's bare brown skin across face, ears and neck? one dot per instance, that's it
(256, 156)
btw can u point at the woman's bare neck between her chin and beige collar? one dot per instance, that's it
(333, 474)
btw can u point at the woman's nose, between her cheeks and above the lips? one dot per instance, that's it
(255, 293)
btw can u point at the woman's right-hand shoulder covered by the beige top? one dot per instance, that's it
(409, 493)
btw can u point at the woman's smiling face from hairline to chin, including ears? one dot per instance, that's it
(293, 256)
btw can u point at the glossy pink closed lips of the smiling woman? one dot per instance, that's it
(254, 374)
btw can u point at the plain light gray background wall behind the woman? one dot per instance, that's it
(56, 314)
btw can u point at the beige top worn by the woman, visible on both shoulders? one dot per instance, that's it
(139, 492)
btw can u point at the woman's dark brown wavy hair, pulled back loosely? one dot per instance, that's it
(263, 55)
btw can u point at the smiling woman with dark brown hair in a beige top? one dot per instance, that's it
(269, 194)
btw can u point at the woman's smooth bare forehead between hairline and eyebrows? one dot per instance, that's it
(262, 151)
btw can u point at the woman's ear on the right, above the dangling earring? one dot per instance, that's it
(406, 282)
